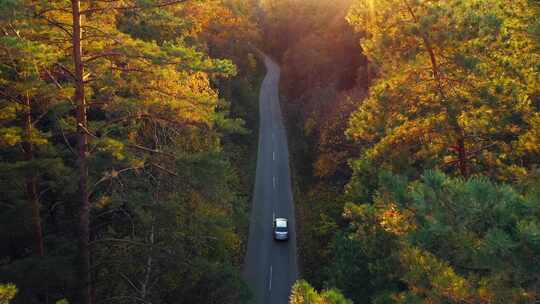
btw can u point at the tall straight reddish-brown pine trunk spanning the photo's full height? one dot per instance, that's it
(84, 210)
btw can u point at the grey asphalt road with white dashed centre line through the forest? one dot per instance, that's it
(271, 267)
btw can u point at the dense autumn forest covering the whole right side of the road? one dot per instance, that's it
(416, 167)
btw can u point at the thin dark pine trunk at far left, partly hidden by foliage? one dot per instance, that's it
(31, 182)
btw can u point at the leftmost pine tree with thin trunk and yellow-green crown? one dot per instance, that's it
(28, 92)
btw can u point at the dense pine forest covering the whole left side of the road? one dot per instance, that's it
(124, 138)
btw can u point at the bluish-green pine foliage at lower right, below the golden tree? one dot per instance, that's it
(448, 240)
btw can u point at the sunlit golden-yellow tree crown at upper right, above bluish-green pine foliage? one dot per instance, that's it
(457, 87)
